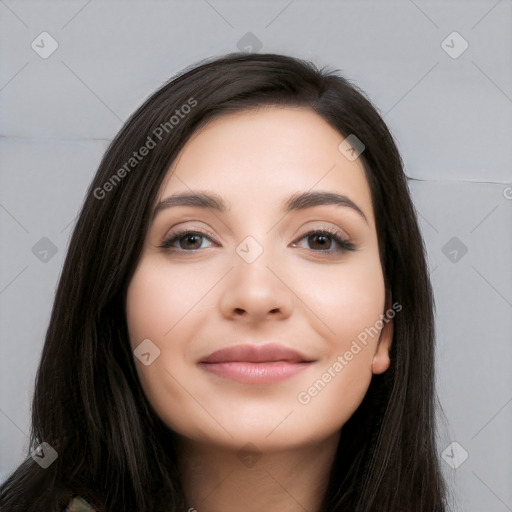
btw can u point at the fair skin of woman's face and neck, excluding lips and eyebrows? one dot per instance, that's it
(190, 303)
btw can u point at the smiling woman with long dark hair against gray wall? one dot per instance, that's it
(244, 317)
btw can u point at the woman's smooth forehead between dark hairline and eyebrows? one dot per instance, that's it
(263, 155)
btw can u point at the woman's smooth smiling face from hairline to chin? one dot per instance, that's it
(258, 273)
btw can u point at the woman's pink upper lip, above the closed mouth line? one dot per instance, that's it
(256, 354)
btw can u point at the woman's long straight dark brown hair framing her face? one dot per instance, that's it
(88, 403)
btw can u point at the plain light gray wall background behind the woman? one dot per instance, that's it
(451, 113)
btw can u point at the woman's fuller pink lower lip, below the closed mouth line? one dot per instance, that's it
(255, 373)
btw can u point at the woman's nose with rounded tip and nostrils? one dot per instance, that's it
(257, 291)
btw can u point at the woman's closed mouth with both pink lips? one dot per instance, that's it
(256, 364)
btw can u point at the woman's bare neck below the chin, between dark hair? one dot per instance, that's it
(217, 479)
